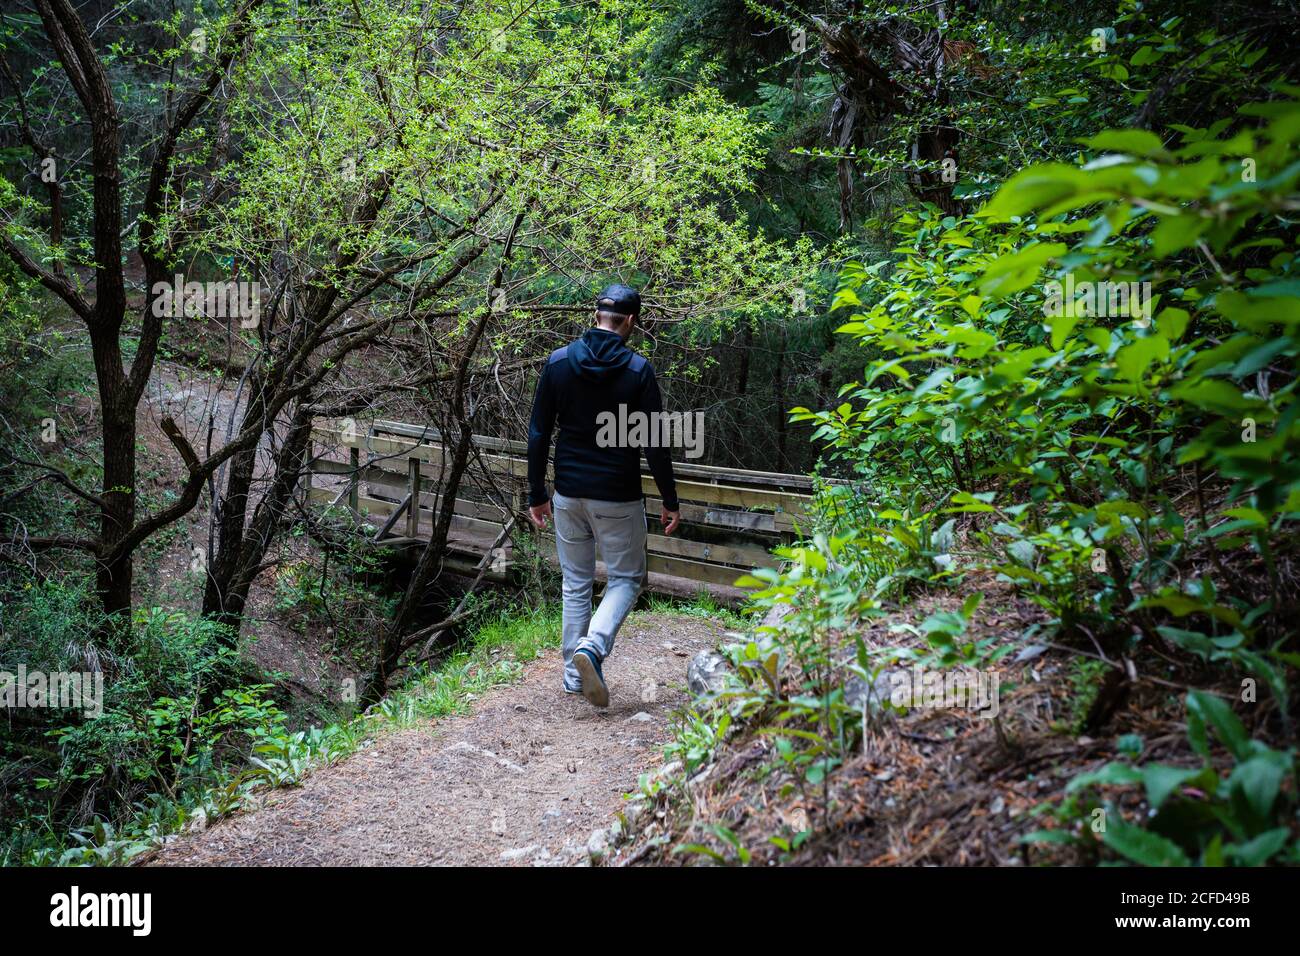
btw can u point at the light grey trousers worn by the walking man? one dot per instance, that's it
(619, 529)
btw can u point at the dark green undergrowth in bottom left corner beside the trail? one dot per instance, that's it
(176, 704)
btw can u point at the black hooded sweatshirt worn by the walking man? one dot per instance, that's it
(596, 374)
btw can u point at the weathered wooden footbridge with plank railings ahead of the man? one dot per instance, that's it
(389, 474)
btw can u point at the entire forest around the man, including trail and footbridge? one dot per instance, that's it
(987, 317)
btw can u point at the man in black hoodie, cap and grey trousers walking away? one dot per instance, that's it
(597, 496)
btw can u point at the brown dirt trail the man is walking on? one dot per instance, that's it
(525, 780)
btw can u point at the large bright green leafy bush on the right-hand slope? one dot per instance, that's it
(1084, 425)
